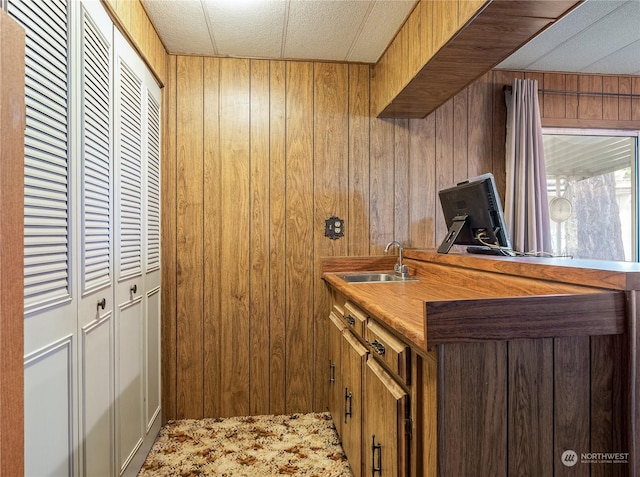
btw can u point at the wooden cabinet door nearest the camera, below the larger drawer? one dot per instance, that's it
(384, 438)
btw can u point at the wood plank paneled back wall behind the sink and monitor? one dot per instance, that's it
(258, 154)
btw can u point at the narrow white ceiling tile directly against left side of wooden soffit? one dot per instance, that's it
(382, 23)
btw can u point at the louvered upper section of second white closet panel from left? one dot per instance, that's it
(96, 147)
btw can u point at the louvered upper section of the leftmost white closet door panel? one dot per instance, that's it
(46, 151)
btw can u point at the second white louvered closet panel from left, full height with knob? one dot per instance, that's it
(95, 302)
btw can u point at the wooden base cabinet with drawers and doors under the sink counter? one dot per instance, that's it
(370, 405)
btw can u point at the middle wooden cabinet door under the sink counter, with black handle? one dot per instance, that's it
(353, 357)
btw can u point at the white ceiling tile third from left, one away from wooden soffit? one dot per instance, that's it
(323, 29)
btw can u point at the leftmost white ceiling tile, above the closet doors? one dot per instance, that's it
(182, 26)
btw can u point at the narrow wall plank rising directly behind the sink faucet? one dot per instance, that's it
(401, 181)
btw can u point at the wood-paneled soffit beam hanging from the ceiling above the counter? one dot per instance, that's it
(446, 44)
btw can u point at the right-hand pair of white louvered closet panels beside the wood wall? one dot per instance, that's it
(137, 287)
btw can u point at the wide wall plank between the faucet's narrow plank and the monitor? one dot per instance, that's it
(422, 186)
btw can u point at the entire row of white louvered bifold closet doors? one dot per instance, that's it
(92, 244)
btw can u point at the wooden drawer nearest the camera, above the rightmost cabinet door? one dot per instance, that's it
(389, 349)
